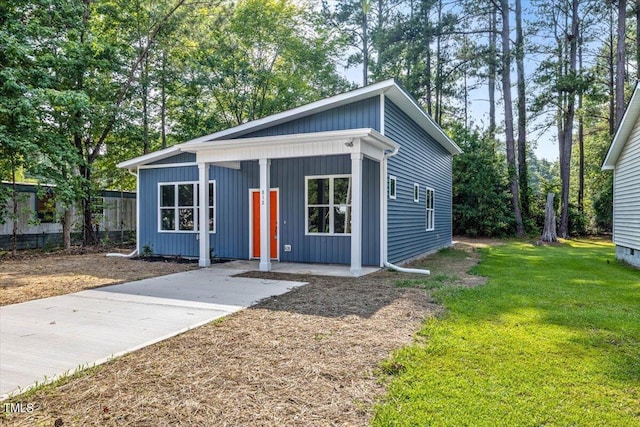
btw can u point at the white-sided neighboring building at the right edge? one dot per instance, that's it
(624, 159)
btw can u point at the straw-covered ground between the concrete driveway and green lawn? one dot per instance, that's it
(311, 357)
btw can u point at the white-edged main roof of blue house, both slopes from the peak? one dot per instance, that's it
(390, 88)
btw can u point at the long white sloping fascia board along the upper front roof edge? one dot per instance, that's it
(314, 107)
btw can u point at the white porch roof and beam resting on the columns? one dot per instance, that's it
(369, 142)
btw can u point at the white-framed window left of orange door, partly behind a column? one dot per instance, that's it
(179, 206)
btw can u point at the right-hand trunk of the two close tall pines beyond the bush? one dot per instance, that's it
(522, 115)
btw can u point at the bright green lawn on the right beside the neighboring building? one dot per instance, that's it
(553, 339)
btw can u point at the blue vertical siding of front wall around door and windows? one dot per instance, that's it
(231, 239)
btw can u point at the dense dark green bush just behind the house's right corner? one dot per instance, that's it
(480, 192)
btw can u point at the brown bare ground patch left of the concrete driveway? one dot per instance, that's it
(33, 276)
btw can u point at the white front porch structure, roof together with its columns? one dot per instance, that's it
(358, 144)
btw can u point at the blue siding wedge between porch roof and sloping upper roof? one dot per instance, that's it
(360, 114)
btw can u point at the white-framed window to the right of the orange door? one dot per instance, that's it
(328, 204)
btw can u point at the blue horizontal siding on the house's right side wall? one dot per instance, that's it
(423, 161)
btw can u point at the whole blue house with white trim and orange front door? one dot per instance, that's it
(361, 178)
